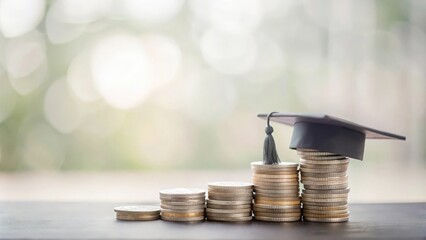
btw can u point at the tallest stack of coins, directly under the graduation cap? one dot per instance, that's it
(325, 182)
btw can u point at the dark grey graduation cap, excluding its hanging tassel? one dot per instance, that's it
(326, 133)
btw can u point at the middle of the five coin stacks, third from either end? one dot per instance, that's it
(229, 201)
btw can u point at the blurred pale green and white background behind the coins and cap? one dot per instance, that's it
(113, 100)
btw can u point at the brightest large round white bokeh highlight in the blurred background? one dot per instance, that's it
(121, 70)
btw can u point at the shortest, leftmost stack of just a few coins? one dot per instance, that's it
(137, 213)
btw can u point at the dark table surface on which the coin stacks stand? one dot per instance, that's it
(51, 220)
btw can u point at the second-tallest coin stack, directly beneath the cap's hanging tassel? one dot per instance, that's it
(276, 189)
